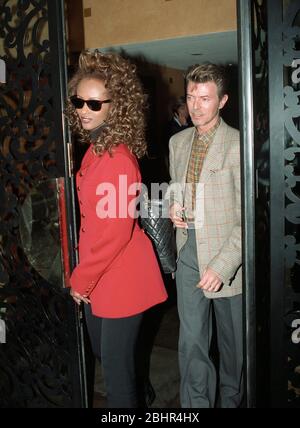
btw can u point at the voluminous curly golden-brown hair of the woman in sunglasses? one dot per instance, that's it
(126, 118)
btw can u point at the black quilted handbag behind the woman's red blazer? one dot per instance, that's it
(158, 226)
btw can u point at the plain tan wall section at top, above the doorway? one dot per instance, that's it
(114, 22)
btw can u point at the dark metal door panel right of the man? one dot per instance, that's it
(270, 93)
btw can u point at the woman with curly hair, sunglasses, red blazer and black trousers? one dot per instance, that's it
(118, 276)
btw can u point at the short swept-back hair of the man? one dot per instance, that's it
(208, 73)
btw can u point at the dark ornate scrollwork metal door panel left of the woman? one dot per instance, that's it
(41, 353)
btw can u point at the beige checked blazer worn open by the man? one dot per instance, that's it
(218, 237)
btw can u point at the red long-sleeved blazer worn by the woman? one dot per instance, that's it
(117, 267)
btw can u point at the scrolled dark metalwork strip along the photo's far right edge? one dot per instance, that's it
(291, 111)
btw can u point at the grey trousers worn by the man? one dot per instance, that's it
(198, 373)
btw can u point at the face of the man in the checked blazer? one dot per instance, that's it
(203, 103)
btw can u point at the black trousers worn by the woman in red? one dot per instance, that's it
(114, 344)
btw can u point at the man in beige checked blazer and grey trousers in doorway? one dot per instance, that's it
(205, 207)
